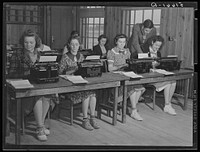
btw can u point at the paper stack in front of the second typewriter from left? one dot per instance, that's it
(75, 79)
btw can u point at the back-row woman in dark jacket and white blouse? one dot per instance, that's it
(101, 48)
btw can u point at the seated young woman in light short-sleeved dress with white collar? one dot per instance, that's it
(116, 60)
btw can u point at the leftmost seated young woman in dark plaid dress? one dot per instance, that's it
(25, 60)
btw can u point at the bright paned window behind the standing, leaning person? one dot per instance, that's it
(131, 16)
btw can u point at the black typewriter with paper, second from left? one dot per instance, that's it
(90, 68)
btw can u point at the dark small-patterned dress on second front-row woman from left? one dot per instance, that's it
(69, 63)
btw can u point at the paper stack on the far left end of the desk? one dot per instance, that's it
(20, 84)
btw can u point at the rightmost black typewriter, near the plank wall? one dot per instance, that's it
(169, 63)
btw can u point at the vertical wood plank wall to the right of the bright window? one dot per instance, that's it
(177, 25)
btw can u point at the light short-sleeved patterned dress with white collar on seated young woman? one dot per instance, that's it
(118, 59)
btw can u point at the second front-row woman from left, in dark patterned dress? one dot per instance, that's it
(68, 65)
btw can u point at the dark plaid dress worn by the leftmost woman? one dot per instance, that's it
(20, 68)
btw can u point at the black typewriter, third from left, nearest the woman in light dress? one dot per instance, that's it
(142, 65)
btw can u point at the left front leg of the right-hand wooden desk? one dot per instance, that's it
(124, 103)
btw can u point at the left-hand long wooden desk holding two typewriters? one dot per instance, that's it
(107, 80)
